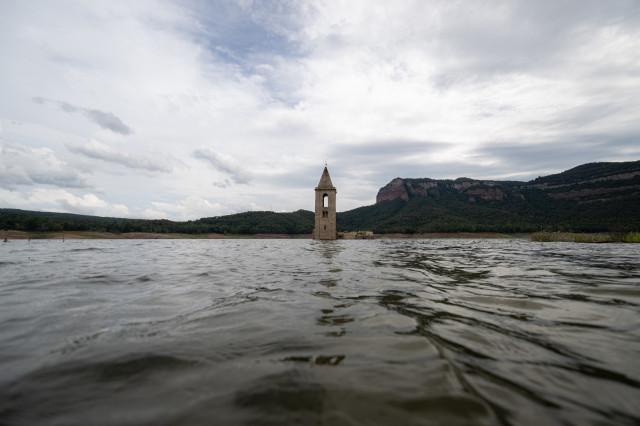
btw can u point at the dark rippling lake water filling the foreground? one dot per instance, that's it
(403, 332)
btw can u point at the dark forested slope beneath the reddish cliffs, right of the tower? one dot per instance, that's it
(451, 214)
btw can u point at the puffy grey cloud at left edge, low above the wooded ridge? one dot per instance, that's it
(24, 166)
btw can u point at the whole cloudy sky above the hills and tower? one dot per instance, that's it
(190, 109)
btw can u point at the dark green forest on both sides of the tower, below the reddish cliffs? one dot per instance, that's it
(450, 212)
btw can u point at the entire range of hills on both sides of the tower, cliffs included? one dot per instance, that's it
(589, 198)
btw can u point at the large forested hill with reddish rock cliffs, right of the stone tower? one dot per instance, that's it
(589, 198)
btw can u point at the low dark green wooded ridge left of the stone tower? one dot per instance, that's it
(299, 222)
